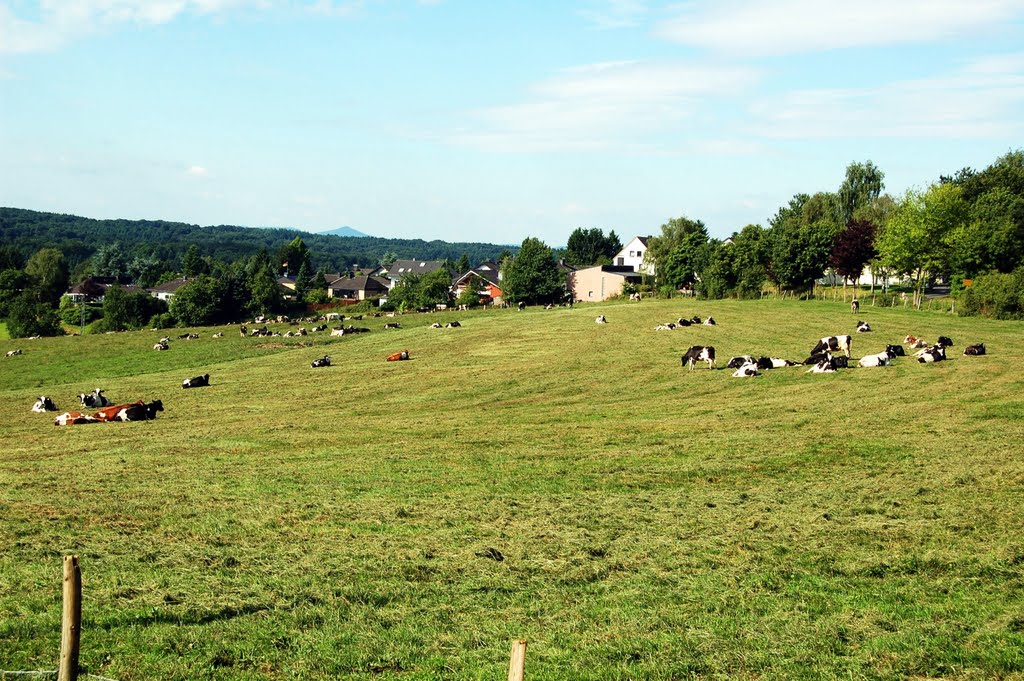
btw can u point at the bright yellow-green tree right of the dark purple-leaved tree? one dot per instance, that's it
(916, 240)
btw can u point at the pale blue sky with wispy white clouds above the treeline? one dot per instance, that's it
(493, 121)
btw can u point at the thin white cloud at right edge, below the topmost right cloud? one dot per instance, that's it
(980, 100)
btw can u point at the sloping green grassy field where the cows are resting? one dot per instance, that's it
(651, 524)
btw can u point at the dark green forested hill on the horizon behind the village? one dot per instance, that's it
(79, 238)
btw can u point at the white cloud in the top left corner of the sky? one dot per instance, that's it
(62, 21)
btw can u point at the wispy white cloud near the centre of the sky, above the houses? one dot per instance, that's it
(604, 106)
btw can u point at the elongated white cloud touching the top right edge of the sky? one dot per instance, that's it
(787, 27)
